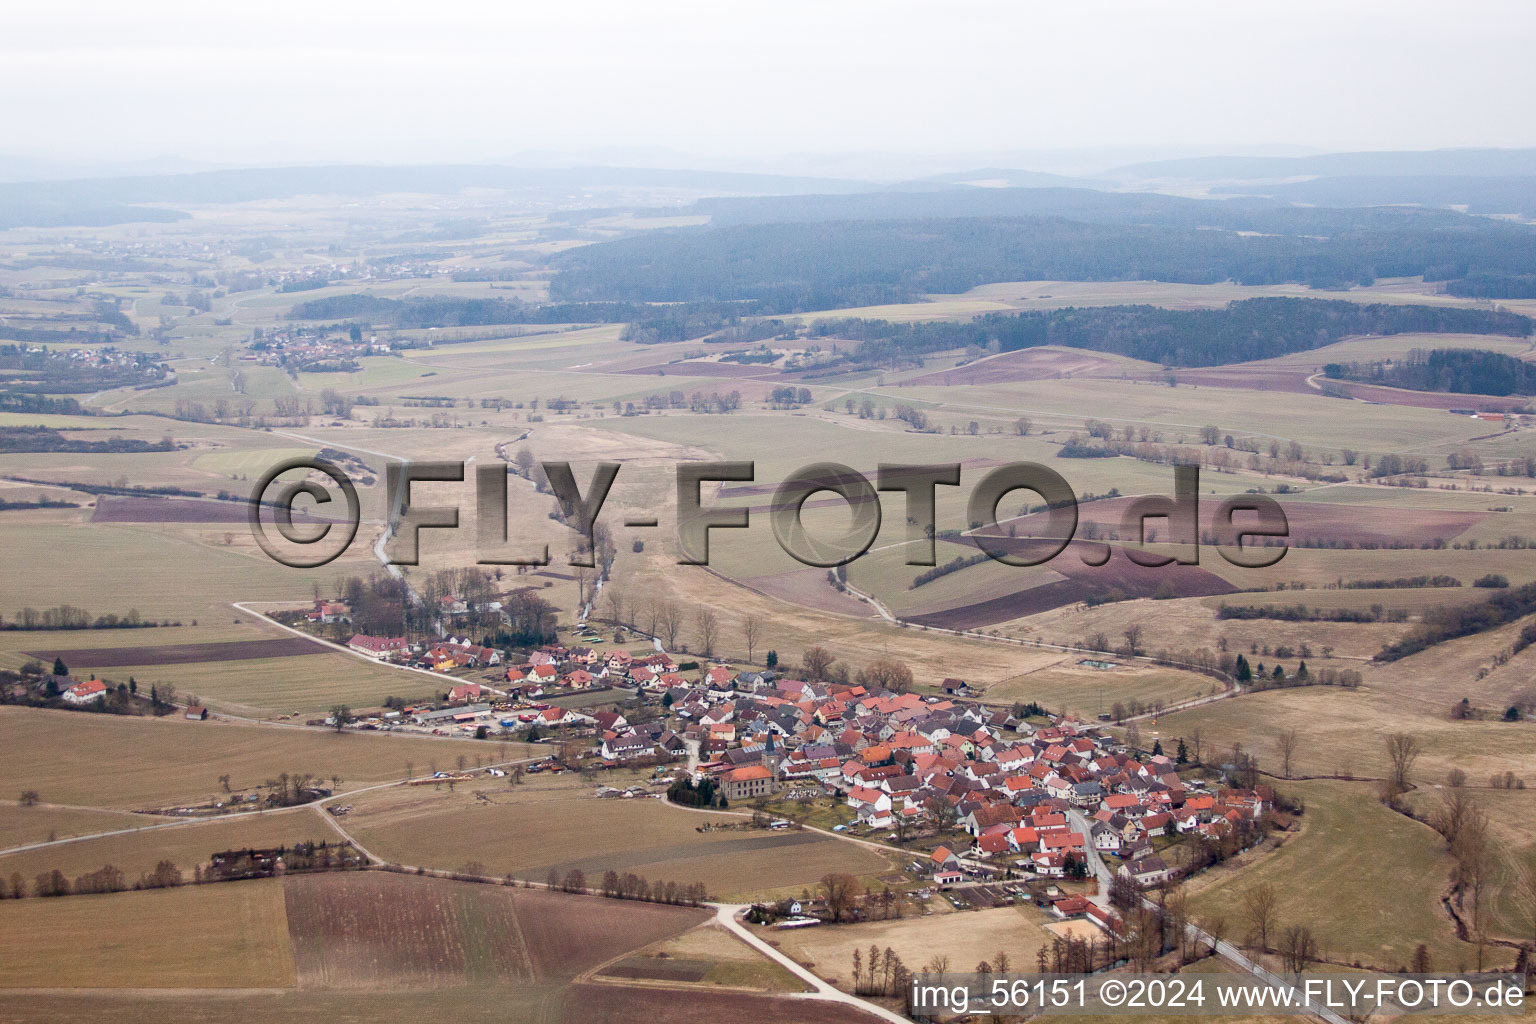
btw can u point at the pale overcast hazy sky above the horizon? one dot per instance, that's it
(382, 82)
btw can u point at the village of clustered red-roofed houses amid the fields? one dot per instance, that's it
(991, 804)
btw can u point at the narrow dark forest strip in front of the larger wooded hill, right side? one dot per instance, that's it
(1251, 329)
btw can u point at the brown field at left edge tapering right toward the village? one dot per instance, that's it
(144, 764)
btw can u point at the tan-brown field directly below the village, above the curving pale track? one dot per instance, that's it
(557, 824)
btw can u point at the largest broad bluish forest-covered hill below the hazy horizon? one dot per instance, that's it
(832, 265)
